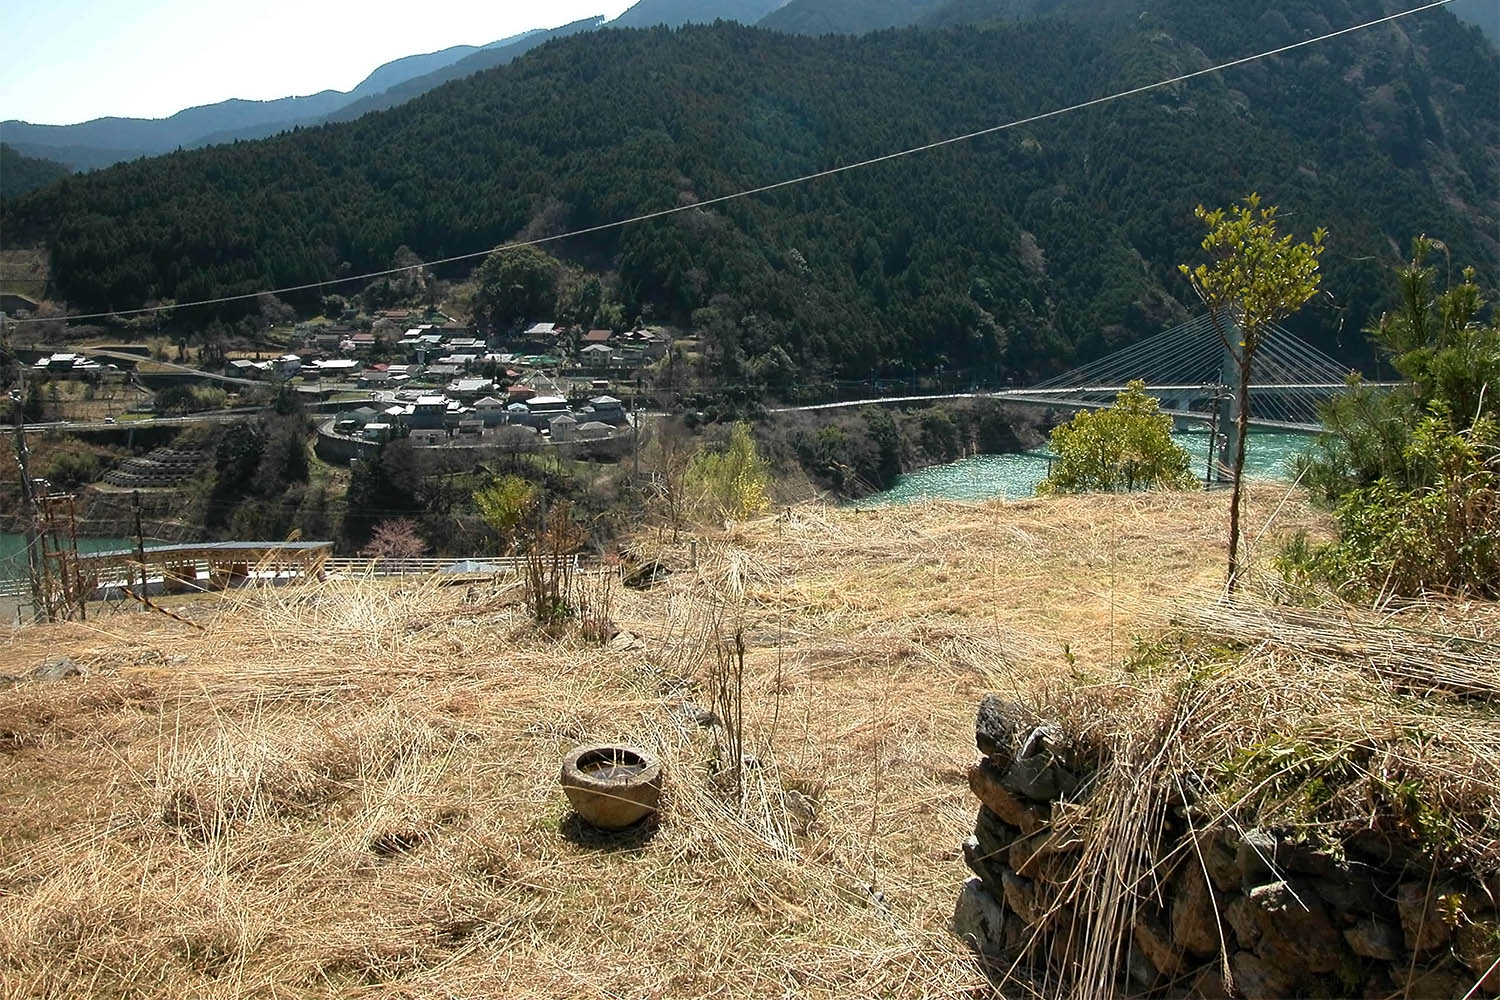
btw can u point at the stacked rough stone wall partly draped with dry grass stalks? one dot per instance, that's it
(1231, 912)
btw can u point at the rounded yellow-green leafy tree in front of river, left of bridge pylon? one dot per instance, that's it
(1126, 448)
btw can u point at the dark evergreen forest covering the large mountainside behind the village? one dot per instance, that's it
(1012, 256)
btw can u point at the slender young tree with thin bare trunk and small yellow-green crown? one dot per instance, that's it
(1255, 278)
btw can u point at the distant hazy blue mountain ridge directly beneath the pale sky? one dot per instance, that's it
(106, 142)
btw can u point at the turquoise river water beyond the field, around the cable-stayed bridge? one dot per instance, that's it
(1268, 457)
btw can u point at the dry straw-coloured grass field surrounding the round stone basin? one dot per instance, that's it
(350, 789)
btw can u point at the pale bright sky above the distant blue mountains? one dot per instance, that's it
(73, 61)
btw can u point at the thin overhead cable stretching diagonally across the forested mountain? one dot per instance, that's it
(763, 190)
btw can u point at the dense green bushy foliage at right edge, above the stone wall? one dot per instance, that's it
(1414, 475)
